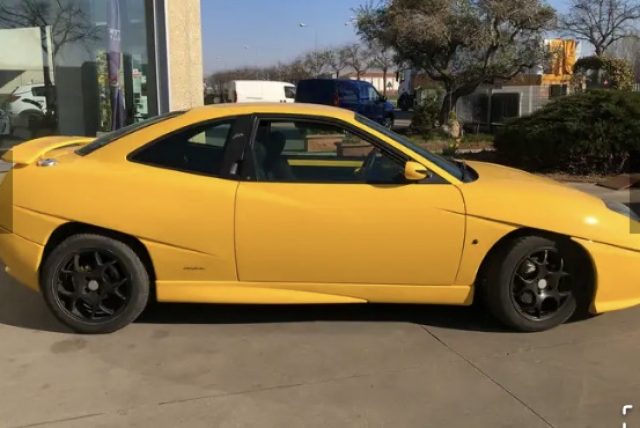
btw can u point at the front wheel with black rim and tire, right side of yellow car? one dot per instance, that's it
(519, 293)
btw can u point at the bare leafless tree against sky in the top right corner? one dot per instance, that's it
(601, 22)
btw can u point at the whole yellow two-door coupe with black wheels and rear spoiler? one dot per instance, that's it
(300, 204)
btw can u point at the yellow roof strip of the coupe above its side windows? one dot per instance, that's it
(222, 110)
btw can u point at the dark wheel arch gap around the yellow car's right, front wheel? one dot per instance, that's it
(580, 252)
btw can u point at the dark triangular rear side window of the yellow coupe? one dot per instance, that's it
(198, 150)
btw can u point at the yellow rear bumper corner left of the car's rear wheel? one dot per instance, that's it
(21, 258)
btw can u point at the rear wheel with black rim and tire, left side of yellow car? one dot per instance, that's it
(95, 284)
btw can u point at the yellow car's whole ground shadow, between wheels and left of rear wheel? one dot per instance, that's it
(24, 308)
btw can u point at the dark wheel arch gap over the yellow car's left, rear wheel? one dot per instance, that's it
(67, 230)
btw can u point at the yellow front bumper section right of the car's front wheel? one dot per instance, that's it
(617, 276)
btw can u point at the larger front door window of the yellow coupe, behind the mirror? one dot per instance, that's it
(314, 152)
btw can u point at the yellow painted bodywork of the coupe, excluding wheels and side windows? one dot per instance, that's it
(226, 241)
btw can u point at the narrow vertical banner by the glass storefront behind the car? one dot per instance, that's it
(114, 60)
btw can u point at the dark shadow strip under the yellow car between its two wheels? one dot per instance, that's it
(451, 317)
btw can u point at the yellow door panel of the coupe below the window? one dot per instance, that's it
(333, 235)
